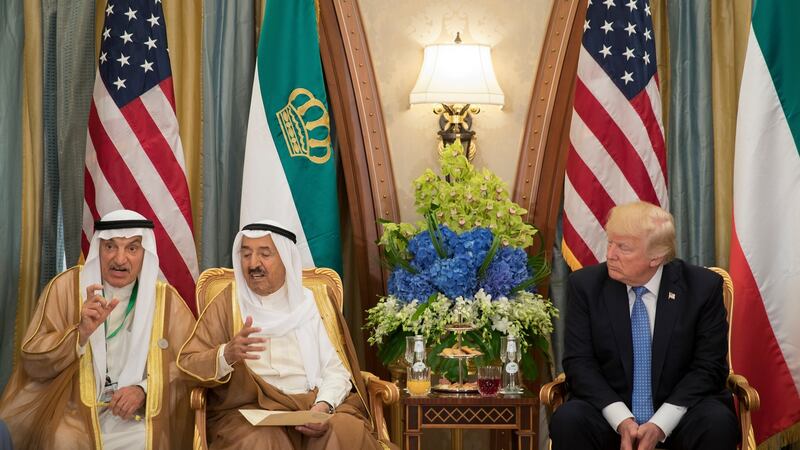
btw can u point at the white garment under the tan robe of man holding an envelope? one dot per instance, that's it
(281, 366)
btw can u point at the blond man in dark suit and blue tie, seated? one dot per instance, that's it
(645, 347)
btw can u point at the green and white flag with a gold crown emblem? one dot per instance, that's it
(290, 167)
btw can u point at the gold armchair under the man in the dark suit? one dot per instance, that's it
(553, 394)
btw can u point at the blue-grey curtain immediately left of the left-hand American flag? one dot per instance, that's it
(68, 37)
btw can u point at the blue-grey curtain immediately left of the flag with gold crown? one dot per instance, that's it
(229, 33)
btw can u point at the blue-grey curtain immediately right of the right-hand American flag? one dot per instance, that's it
(690, 147)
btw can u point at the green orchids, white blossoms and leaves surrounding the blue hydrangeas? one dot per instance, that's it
(462, 197)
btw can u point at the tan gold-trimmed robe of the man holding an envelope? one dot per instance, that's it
(350, 427)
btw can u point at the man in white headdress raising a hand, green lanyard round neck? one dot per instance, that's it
(97, 364)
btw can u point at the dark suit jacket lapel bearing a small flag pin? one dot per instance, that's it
(668, 307)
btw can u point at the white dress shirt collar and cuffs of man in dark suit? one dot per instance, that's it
(668, 415)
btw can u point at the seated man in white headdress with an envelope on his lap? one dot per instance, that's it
(262, 343)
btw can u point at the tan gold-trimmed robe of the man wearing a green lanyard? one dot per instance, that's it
(50, 400)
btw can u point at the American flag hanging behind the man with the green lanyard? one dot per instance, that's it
(134, 157)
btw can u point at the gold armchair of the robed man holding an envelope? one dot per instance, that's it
(380, 393)
